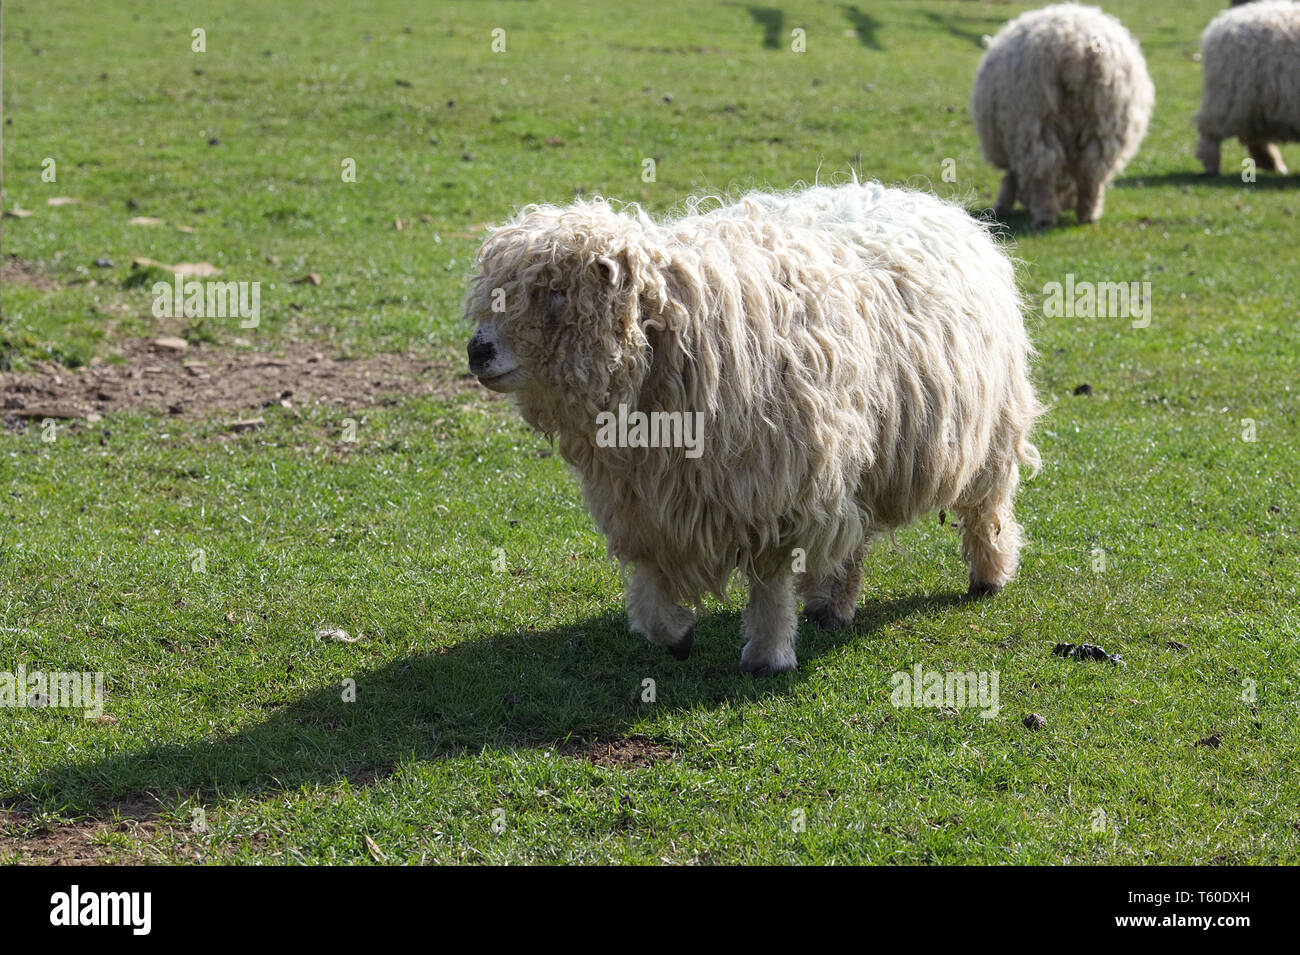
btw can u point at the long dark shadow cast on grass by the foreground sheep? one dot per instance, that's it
(510, 691)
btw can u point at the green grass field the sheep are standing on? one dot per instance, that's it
(500, 711)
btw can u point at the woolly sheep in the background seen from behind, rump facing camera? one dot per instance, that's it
(1061, 103)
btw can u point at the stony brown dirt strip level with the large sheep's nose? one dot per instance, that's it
(211, 381)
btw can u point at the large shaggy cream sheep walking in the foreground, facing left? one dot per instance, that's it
(846, 359)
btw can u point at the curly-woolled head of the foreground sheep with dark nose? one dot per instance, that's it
(553, 310)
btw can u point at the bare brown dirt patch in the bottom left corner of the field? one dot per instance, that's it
(80, 844)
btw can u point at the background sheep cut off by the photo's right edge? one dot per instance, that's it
(1251, 62)
